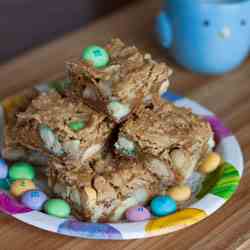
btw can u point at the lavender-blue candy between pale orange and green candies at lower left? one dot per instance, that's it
(34, 199)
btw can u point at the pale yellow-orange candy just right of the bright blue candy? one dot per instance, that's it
(180, 193)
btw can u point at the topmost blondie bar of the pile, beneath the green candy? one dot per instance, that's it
(129, 79)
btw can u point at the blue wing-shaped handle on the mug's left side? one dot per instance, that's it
(163, 29)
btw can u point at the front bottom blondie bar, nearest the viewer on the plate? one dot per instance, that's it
(103, 189)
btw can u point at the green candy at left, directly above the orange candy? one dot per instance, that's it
(21, 170)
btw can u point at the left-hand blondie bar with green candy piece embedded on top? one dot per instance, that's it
(58, 127)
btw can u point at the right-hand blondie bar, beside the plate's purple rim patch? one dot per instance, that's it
(166, 137)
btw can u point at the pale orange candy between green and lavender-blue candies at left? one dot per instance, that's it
(19, 187)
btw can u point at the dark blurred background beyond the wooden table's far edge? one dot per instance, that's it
(26, 23)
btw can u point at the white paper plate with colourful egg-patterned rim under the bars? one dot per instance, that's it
(210, 194)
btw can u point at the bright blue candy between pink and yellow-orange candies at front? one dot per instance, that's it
(162, 205)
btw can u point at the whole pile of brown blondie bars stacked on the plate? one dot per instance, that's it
(110, 140)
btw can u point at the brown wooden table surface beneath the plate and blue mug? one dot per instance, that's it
(228, 96)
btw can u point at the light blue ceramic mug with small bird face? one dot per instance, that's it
(206, 36)
